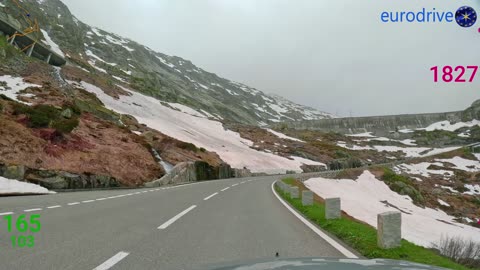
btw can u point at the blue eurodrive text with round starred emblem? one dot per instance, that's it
(465, 16)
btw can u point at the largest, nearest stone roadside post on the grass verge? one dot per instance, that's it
(389, 229)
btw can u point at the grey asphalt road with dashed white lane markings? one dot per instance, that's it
(162, 228)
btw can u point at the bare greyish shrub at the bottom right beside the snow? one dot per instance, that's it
(465, 252)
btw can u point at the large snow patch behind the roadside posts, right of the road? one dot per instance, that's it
(363, 198)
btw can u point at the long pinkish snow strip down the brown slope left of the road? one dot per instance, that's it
(202, 132)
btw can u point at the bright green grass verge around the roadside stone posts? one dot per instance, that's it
(363, 237)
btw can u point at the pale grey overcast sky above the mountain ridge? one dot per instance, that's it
(334, 55)
